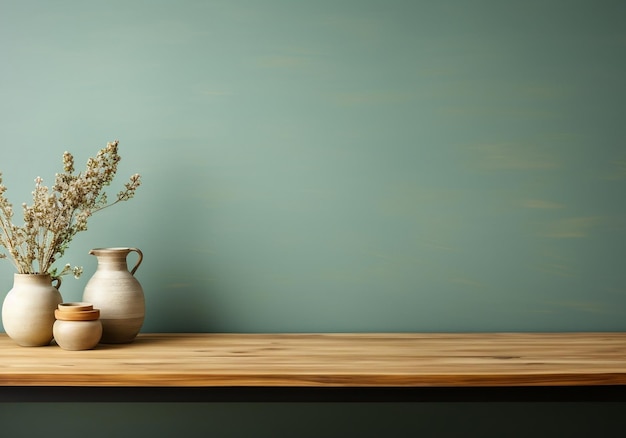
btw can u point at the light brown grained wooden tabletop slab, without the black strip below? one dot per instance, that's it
(326, 360)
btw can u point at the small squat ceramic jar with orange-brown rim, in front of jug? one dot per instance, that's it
(77, 326)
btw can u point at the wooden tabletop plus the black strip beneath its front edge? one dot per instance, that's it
(345, 367)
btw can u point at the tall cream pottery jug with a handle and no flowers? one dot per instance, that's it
(116, 292)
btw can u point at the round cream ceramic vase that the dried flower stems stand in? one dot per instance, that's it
(28, 309)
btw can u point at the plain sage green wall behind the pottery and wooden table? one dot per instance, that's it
(337, 165)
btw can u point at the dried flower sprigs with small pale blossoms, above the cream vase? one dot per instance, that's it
(54, 218)
